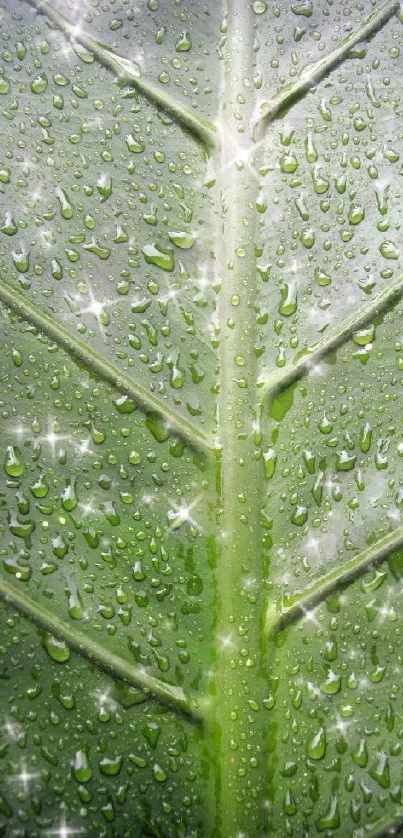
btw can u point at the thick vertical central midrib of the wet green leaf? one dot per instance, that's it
(238, 715)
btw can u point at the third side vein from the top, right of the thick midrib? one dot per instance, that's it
(282, 613)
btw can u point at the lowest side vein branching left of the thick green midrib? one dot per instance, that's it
(103, 658)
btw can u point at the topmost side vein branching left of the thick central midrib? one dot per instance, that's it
(129, 72)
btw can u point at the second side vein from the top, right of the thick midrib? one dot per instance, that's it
(281, 379)
